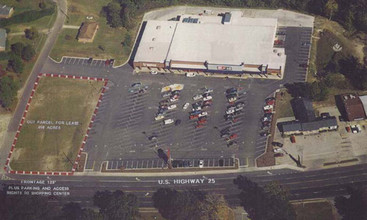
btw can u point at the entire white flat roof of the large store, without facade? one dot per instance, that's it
(248, 40)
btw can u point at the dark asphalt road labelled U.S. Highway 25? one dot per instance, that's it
(301, 185)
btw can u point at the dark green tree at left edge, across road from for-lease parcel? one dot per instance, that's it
(8, 91)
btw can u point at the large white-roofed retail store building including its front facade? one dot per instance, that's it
(228, 43)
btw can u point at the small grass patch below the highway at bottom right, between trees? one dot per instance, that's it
(321, 210)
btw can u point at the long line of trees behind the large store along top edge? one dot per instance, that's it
(350, 13)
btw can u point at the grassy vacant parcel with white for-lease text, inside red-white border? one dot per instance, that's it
(50, 148)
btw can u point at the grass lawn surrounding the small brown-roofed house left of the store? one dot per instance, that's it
(110, 39)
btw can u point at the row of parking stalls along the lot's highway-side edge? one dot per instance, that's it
(176, 163)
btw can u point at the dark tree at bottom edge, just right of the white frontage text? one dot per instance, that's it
(116, 205)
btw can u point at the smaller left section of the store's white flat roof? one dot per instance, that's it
(155, 41)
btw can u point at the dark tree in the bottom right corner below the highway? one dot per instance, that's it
(354, 206)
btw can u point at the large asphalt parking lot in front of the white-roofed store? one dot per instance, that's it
(125, 120)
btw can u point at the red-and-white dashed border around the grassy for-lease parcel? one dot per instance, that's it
(7, 168)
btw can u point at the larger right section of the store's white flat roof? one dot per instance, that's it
(222, 44)
